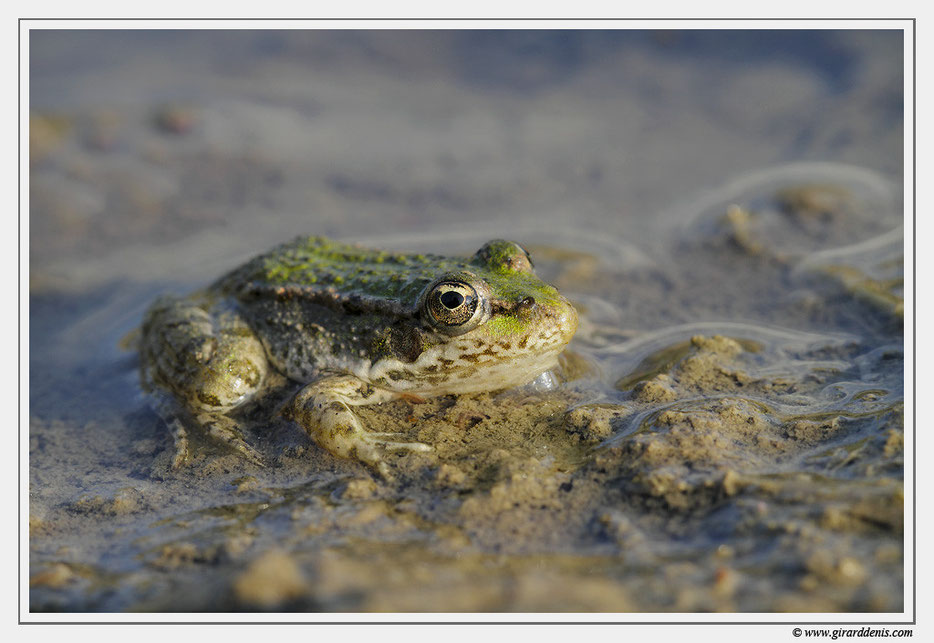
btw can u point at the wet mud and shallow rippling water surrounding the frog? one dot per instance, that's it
(725, 432)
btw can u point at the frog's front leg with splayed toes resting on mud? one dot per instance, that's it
(323, 408)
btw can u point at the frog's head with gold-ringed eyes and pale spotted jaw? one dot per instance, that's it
(491, 325)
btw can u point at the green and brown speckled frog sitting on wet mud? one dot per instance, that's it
(348, 326)
